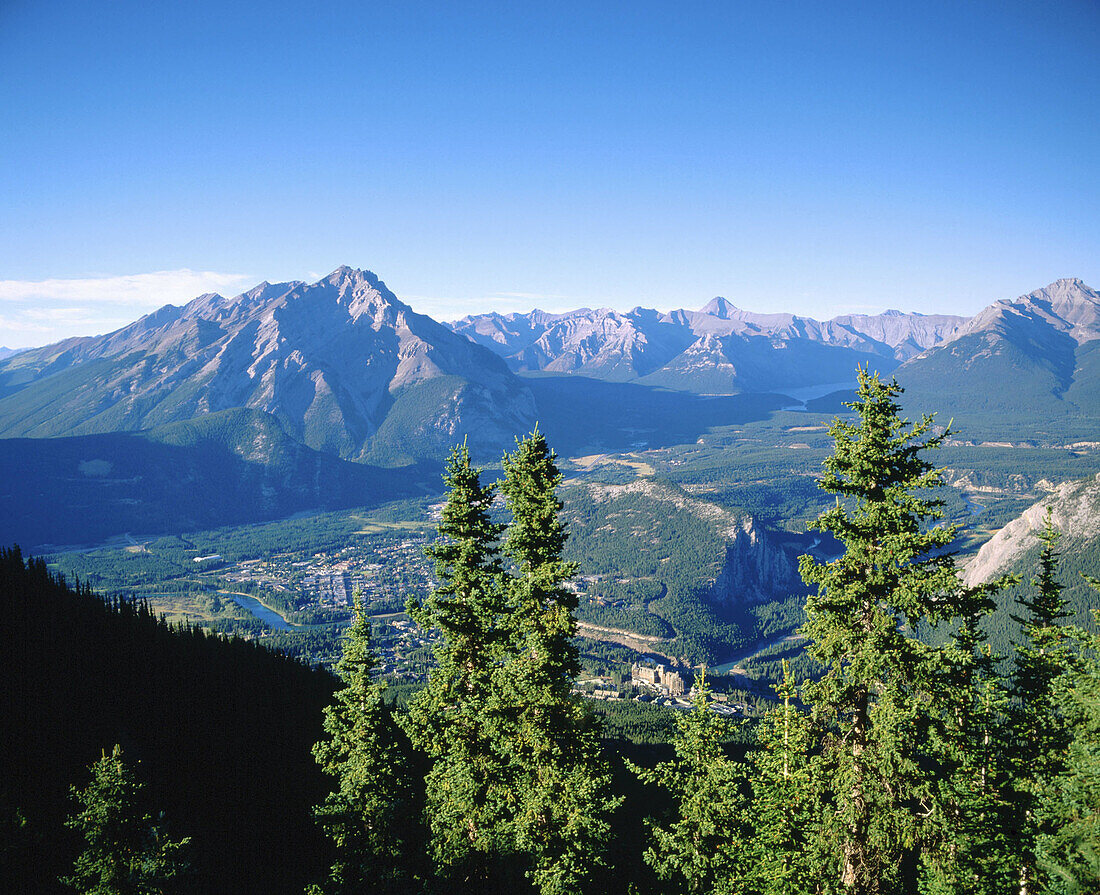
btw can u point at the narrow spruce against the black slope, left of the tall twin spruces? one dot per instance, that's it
(370, 817)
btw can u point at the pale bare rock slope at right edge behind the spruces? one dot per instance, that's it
(1075, 513)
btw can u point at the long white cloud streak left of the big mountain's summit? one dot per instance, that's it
(148, 291)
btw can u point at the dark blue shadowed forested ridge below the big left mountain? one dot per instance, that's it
(229, 468)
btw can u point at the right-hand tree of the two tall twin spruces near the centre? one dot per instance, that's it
(562, 782)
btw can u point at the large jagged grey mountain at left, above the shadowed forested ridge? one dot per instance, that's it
(329, 360)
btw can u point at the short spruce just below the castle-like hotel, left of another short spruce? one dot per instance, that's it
(703, 850)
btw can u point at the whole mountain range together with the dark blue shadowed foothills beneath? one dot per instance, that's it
(291, 395)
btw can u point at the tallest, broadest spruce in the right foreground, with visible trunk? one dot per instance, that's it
(884, 688)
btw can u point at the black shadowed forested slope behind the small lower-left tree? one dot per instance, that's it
(221, 733)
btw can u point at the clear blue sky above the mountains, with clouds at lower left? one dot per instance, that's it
(808, 157)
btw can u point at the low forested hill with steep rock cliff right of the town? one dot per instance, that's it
(697, 581)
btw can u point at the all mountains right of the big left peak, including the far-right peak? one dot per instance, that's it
(1035, 357)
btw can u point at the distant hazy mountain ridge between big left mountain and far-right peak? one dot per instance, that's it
(718, 349)
